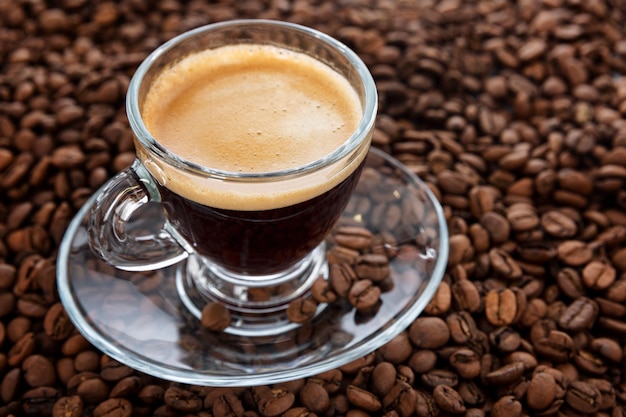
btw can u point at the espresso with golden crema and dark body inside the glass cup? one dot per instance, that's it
(254, 109)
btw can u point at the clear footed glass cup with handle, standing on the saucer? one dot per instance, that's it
(256, 261)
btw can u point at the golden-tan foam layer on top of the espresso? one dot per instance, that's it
(251, 108)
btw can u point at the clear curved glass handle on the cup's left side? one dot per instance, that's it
(127, 226)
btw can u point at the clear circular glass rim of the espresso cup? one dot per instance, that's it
(148, 141)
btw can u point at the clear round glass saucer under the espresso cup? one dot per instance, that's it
(142, 319)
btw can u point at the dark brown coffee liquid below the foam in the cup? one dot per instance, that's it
(258, 242)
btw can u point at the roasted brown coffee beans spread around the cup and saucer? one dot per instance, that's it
(511, 111)
